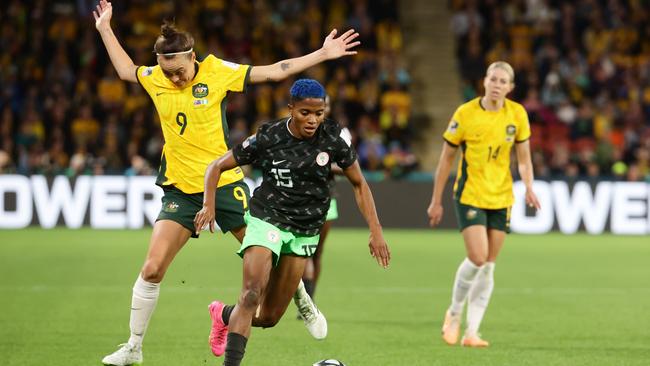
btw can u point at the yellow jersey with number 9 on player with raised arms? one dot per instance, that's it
(193, 120)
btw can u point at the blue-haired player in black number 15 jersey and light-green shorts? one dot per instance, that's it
(287, 210)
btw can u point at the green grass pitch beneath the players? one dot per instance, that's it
(559, 300)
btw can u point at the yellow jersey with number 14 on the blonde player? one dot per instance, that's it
(486, 139)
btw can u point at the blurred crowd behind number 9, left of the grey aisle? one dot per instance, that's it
(63, 110)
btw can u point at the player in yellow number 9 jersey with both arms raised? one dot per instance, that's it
(190, 98)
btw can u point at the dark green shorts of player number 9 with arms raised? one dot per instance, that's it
(231, 201)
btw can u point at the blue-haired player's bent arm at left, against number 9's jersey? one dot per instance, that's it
(212, 174)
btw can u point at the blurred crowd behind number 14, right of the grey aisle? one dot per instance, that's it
(582, 72)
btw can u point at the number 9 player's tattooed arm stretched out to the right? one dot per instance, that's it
(332, 48)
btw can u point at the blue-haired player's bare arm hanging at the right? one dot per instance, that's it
(378, 247)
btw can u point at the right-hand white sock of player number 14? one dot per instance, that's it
(479, 297)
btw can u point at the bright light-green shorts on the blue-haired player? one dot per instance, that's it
(280, 242)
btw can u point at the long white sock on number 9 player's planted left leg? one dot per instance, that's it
(143, 303)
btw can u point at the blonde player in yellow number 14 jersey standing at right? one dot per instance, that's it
(485, 129)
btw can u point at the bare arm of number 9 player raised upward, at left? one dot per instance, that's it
(121, 61)
